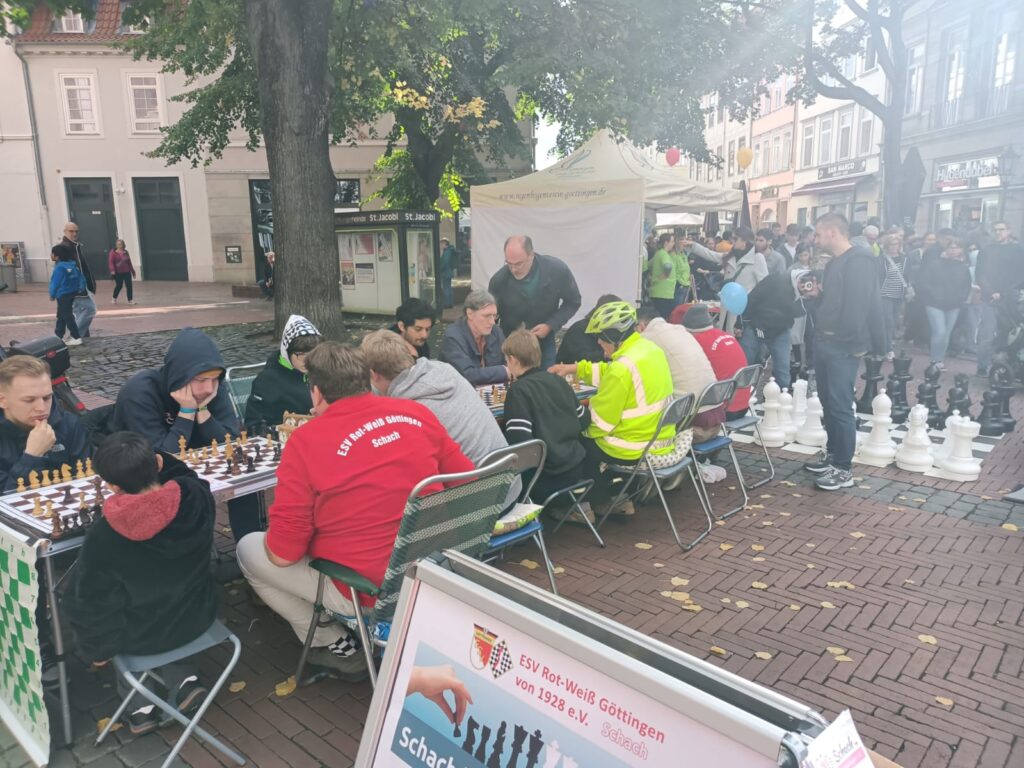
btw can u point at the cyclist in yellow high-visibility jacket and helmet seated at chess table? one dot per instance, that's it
(633, 388)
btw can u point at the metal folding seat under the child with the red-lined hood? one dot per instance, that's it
(131, 667)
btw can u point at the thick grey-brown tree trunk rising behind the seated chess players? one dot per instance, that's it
(289, 44)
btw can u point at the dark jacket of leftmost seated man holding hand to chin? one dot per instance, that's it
(73, 445)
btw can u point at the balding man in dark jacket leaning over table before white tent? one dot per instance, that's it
(535, 292)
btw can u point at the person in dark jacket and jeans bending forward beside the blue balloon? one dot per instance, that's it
(772, 309)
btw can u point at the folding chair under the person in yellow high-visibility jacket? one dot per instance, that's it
(679, 412)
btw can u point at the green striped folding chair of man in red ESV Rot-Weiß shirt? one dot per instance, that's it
(461, 518)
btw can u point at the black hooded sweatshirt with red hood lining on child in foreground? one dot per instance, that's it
(144, 583)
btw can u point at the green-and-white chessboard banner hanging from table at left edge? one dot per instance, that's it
(22, 707)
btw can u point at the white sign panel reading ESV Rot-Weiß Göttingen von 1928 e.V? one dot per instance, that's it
(473, 692)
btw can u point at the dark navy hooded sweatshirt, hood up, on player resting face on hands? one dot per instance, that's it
(145, 404)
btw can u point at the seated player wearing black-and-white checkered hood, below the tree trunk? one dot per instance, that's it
(282, 385)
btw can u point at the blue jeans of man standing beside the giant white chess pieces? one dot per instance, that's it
(837, 377)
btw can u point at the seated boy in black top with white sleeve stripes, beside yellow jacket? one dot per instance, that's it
(543, 406)
